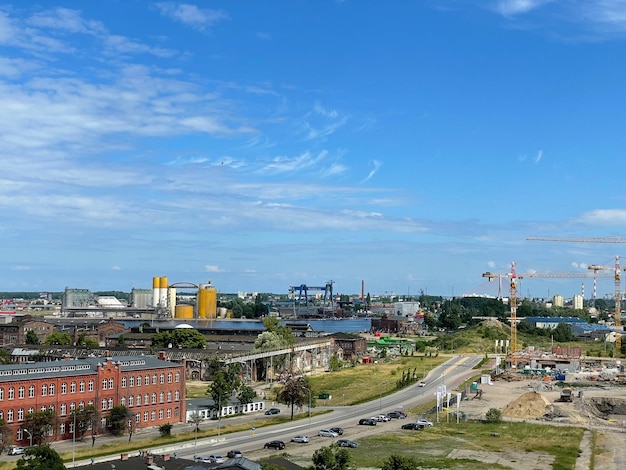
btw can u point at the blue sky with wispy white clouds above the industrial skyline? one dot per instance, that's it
(412, 145)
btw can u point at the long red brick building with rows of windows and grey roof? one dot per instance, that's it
(151, 387)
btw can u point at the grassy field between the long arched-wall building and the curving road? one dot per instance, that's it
(365, 382)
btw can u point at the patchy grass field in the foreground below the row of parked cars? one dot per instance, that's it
(431, 447)
